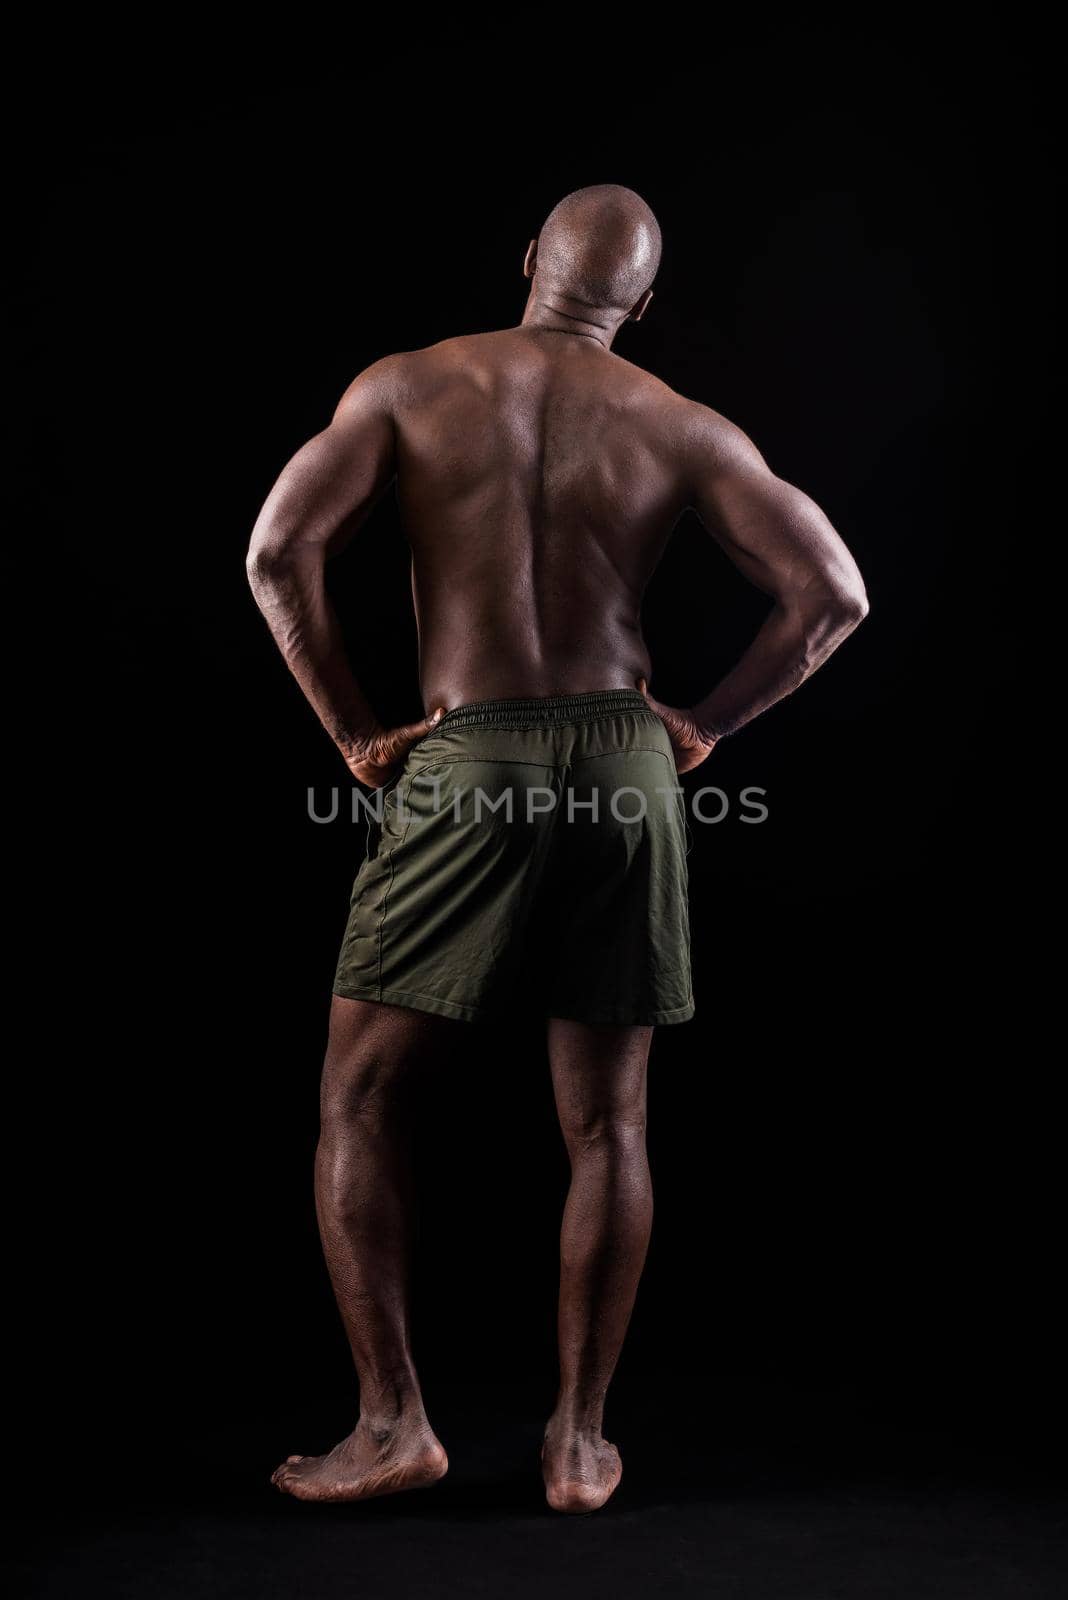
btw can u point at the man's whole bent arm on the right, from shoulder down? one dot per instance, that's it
(787, 548)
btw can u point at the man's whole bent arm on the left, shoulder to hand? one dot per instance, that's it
(317, 505)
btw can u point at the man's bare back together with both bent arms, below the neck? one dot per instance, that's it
(540, 478)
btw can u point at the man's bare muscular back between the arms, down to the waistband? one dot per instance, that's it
(540, 478)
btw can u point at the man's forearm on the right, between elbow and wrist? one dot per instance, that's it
(791, 646)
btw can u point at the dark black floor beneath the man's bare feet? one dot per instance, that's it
(794, 1505)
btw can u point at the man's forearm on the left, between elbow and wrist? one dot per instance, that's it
(292, 594)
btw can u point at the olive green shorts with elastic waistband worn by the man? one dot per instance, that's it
(530, 857)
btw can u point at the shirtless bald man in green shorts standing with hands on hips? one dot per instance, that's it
(540, 478)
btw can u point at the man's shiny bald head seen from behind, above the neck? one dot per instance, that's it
(600, 247)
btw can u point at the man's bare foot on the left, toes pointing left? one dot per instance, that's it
(372, 1462)
